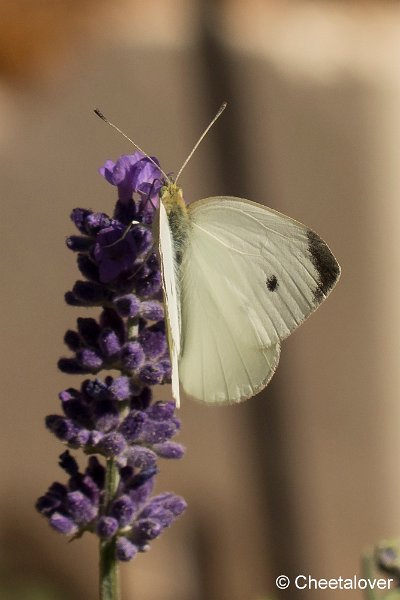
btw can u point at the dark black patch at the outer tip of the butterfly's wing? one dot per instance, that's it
(325, 263)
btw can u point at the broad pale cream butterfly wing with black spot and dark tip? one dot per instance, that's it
(249, 277)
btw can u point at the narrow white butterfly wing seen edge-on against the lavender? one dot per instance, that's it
(171, 296)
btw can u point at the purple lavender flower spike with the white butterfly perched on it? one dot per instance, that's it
(113, 419)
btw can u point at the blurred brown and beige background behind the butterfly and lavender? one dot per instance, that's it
(304, 477)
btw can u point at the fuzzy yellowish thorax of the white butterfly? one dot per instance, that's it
(178, 218)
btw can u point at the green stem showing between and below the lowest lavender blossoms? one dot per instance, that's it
(109, 573)
